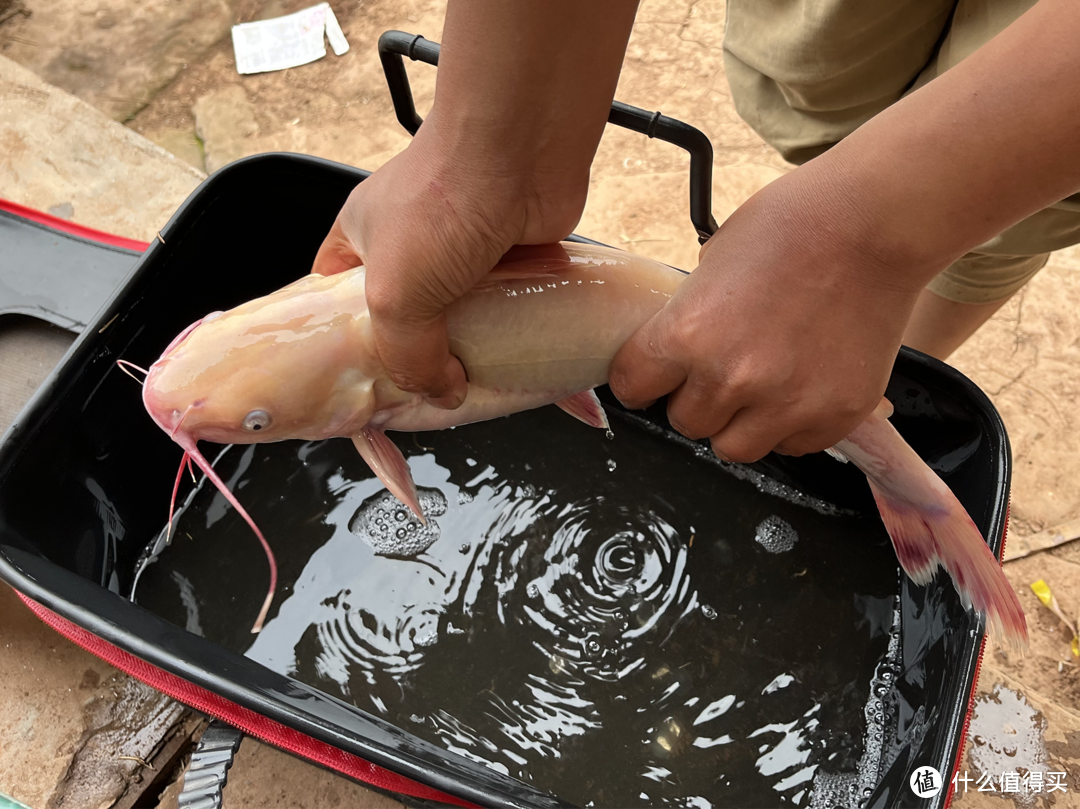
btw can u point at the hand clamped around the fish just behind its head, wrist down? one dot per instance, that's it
(428, 226)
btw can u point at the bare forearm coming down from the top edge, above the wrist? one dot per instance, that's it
(524, 88)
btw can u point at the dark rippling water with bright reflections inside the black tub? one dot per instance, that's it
(617, 622)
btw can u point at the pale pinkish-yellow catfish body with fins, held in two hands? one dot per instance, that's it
(535, 332)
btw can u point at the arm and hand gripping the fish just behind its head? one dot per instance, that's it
(522, 97)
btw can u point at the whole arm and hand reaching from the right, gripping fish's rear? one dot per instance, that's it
(786, 334)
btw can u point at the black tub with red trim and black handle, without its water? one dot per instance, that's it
(85, 477)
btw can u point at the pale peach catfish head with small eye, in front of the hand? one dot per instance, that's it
(300, 363)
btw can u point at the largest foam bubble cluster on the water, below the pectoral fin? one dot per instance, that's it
(400, 535)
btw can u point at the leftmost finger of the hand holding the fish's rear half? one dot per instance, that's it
(643, 371)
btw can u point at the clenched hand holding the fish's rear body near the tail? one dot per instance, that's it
(785, 338)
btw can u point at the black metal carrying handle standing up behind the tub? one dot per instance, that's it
(396, 46)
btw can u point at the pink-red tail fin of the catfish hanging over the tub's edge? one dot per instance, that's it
(936, 530)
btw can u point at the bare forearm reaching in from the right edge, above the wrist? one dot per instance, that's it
(991, 142)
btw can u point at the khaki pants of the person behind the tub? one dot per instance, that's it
(806, 74)
